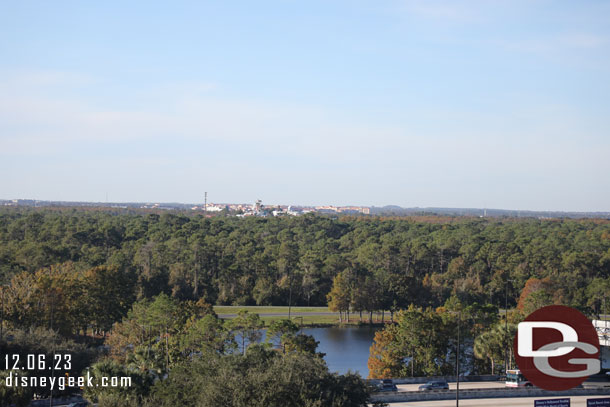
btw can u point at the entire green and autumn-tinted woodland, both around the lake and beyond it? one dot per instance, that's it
(141, 283)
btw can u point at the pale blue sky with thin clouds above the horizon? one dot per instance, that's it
(448, 103)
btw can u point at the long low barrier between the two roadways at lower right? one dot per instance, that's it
(393, 397)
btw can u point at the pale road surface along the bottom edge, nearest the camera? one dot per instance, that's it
(576, 401)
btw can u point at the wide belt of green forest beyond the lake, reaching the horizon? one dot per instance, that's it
(266, 261)
